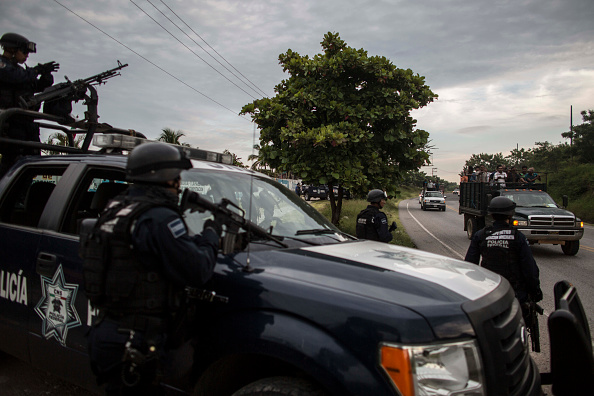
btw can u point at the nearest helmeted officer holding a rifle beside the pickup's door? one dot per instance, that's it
(138, 258)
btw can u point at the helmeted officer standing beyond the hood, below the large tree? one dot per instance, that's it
(373, 223)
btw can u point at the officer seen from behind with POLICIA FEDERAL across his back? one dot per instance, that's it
(505, 250)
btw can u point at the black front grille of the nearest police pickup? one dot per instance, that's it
(497, 320)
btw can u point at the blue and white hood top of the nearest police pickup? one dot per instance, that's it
(409, 277)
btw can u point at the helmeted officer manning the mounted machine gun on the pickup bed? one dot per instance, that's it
(17, 81)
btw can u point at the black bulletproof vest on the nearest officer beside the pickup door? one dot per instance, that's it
(114, 278)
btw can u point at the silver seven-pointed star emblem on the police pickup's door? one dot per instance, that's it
(56, 307)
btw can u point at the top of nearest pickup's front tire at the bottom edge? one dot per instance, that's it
(280, 386)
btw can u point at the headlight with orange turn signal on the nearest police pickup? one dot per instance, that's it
(432, 370)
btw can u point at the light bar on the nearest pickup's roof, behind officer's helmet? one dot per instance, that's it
(123, 142)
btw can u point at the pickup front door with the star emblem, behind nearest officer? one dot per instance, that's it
(63, 315)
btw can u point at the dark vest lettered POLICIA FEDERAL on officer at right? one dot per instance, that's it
(500, 254)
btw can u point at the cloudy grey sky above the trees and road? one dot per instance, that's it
(506, 72)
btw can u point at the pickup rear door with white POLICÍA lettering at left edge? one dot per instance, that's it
(21, 206)
